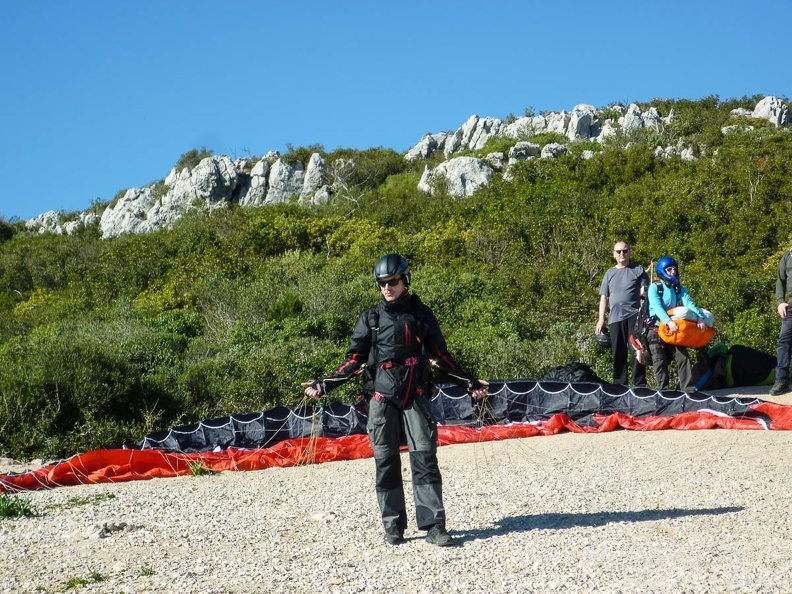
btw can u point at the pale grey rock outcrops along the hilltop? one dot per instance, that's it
(218, 181)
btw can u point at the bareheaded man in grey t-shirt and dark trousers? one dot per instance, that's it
(621, 291)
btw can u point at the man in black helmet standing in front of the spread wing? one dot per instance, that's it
(401, 334)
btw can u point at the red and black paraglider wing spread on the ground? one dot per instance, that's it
(336, 431)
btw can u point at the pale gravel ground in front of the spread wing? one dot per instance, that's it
(663, 511)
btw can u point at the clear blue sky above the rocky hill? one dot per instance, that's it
(102, 96)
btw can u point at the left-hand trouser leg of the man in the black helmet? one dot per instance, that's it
(384, 428)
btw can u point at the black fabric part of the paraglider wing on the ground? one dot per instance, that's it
(509, 401)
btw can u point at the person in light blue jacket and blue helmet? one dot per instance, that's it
(665, 294)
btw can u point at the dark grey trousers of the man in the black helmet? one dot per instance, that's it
(385, 430)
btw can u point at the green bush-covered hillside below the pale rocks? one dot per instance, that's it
(105, 340)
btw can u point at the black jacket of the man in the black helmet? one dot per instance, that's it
(404, 336)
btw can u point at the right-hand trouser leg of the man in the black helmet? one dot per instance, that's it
(421, 431)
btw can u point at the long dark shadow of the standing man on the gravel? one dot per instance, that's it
(563, 521)
